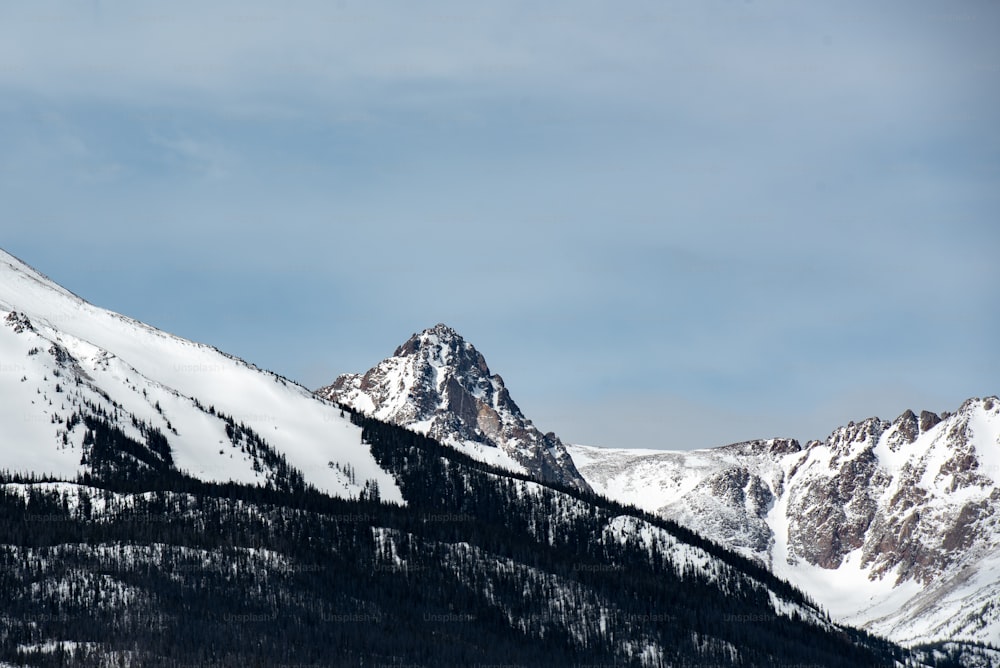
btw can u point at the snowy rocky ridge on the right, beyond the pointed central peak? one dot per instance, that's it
(892, 526)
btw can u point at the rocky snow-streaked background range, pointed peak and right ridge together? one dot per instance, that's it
(892, 526)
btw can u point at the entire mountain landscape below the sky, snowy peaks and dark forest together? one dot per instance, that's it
(165, 504)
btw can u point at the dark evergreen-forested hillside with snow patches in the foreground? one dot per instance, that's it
(480, 567)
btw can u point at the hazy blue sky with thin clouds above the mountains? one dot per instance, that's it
(670, 224)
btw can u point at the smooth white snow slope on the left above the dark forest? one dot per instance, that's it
(72, 374)
